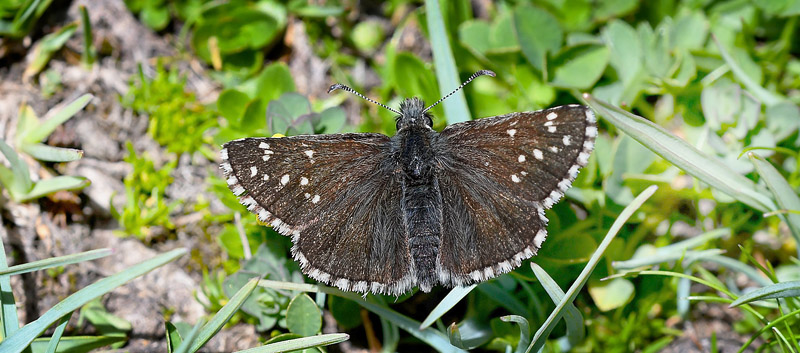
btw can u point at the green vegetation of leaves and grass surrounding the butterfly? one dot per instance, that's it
(689, 201)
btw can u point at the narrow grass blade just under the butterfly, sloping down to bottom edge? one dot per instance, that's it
(432, 337)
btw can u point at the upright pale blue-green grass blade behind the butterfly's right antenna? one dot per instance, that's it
(455, 107)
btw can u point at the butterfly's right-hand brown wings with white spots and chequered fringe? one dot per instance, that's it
(498, 177)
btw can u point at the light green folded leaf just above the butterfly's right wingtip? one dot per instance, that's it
(579, 66)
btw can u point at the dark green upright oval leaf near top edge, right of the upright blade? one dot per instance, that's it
(538, 33)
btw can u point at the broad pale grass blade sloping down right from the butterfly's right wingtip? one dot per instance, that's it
(683, 155)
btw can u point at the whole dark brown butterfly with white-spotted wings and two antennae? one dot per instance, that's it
(371, 213)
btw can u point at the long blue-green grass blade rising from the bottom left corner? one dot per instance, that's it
(22, 338)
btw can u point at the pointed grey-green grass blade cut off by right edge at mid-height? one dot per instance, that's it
(784, 194)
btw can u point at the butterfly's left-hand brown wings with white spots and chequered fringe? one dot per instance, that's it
(336, 196)
